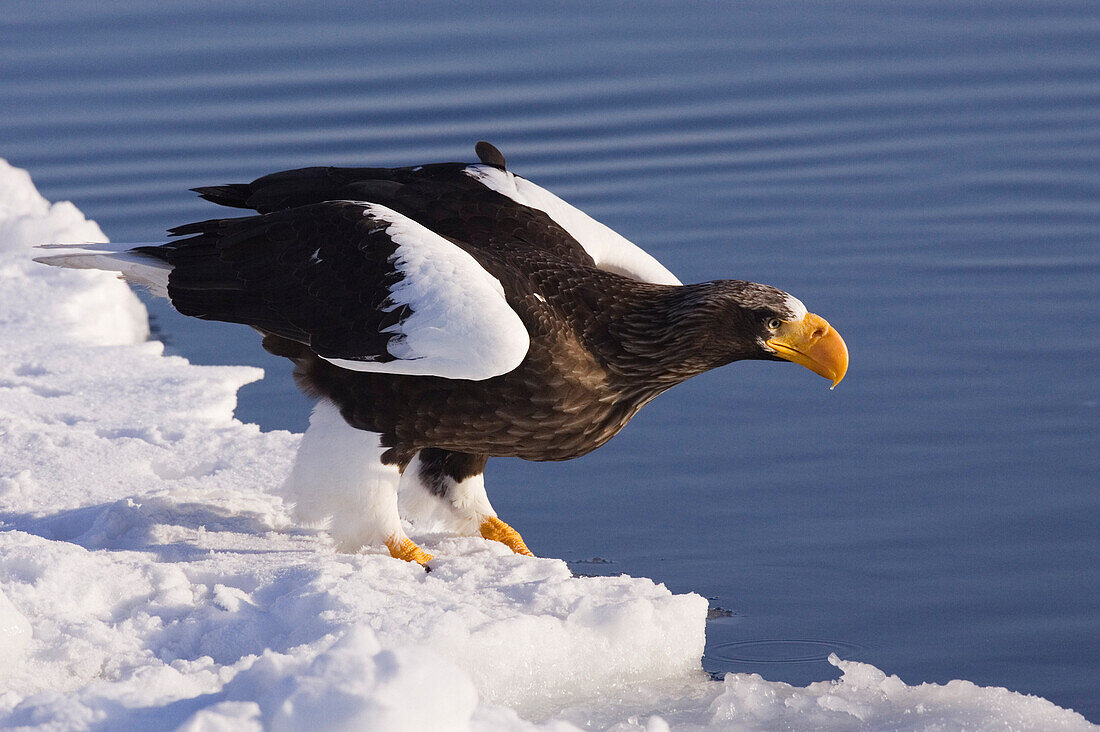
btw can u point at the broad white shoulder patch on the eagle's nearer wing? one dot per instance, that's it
(461, 326)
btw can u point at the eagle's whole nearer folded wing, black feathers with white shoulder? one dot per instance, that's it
(364, 287)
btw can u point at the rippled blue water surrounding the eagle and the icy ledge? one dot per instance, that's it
(923, 174)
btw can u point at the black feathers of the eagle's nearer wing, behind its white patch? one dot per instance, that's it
(320, 276)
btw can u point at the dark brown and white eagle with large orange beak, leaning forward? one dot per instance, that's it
(447, 313)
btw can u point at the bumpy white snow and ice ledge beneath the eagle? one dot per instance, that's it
(151, 576)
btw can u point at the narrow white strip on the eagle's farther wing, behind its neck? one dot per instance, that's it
(611, 250)
